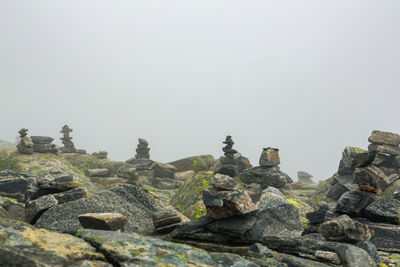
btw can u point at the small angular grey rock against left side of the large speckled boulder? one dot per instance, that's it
(35, 208)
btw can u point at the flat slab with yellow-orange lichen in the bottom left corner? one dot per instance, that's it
(27, 246)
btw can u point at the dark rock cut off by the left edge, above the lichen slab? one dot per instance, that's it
(18, 187)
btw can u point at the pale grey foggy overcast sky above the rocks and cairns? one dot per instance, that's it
(309, 77)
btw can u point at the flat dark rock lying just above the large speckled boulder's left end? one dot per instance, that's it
(63, 182)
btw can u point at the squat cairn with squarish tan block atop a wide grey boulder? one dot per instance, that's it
(267, 174)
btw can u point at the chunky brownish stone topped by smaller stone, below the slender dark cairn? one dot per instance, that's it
(222, 201)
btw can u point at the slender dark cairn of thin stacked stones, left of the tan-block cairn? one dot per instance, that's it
(227, 164)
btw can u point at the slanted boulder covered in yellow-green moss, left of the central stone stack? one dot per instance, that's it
(188, 198)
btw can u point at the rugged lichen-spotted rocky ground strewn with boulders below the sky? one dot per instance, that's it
(76, 209)
